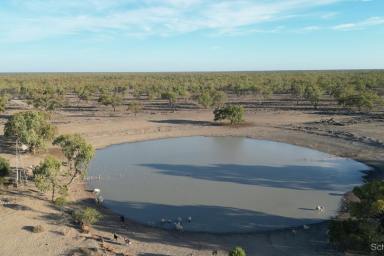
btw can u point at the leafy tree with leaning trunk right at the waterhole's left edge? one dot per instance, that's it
(78, 153)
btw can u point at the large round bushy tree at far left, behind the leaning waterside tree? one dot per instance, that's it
(30, 128)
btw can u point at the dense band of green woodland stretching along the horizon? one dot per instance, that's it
(350, 90)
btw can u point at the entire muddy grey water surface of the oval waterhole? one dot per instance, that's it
(224, 184)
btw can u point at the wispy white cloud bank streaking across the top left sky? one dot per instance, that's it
(39, 19)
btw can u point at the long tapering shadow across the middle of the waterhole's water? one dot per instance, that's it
(292, 177)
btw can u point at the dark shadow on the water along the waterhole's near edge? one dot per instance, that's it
(205, 218)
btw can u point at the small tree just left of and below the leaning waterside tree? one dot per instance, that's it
(47, 174)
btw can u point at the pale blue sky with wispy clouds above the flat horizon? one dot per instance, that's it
(190, 35)
